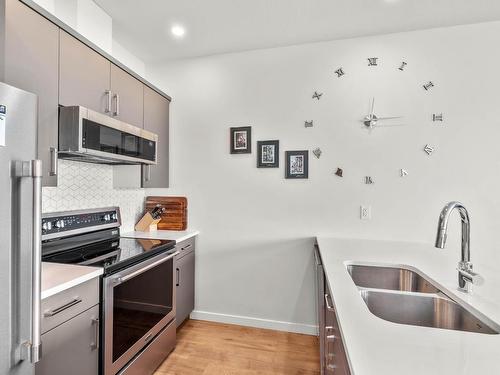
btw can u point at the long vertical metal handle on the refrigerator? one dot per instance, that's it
(32, 349)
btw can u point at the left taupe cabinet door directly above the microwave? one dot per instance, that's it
(84, 76)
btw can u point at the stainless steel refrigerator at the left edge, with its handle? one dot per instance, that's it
(20, 232)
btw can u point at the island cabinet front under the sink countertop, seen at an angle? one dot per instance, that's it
(333, 357)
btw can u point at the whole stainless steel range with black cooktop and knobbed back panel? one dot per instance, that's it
(138, 285)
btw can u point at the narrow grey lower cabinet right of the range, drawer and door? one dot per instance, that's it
(184, 268)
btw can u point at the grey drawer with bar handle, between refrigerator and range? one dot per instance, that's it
(65, 305)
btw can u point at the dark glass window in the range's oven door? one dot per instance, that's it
(139, 304)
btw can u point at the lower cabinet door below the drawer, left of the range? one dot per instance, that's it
(72, 347)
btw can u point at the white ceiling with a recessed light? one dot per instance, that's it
(222, 26)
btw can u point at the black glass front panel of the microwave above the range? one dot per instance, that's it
(102, 138)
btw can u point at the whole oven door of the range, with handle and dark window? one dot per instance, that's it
(138, 303)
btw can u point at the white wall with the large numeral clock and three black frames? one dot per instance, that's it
(255, 250)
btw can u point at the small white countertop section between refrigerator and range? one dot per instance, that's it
(59, 277)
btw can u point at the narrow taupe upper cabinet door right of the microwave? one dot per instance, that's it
(156, 120)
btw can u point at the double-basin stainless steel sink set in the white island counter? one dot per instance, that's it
(402, 295)
